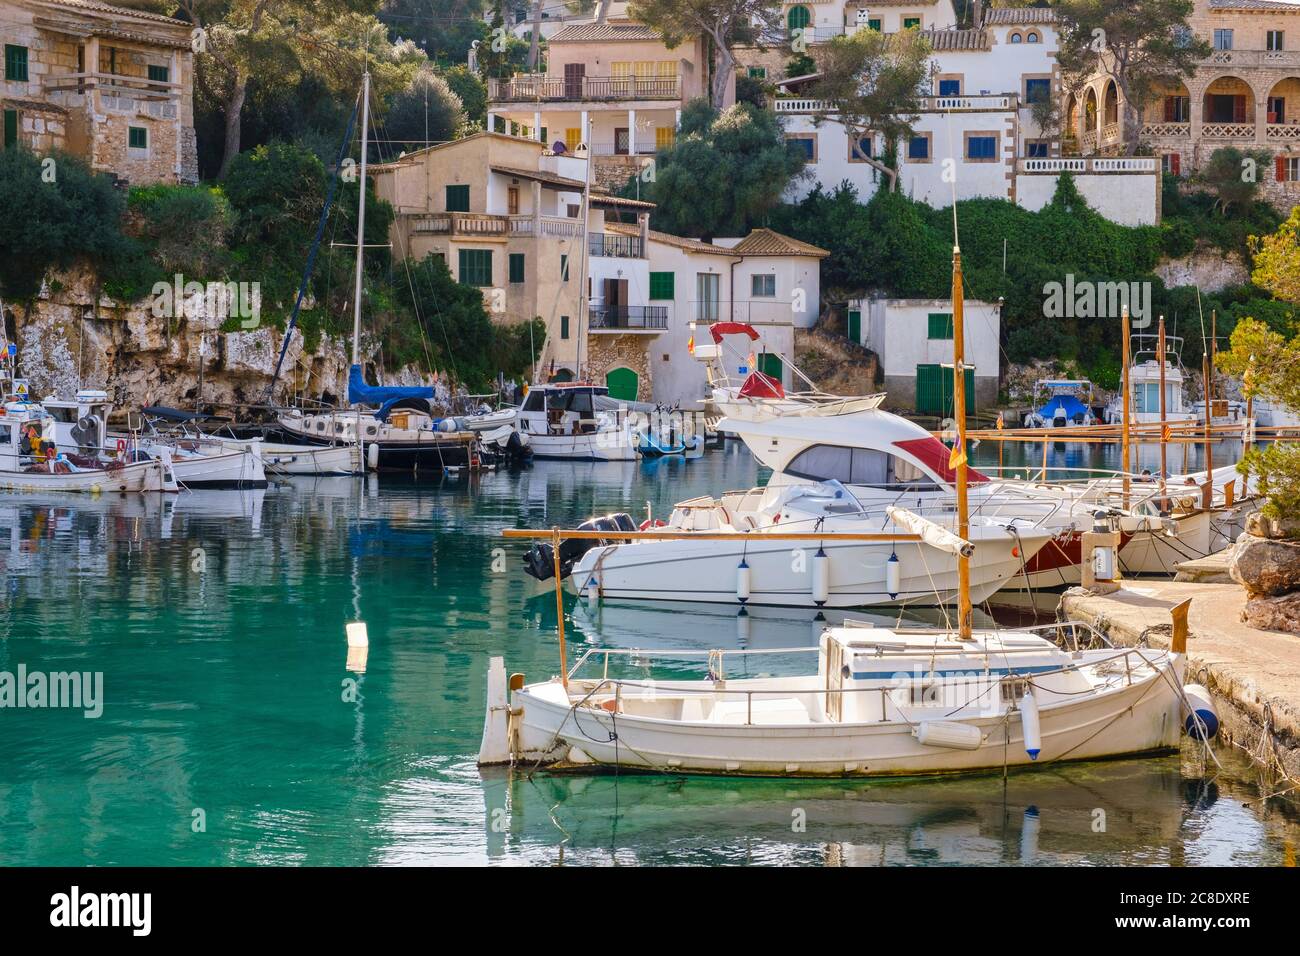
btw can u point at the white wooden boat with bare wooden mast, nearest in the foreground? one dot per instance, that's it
(881, 702)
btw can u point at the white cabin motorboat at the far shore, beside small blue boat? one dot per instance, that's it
(578, 421)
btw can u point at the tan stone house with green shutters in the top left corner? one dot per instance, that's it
(110, 85)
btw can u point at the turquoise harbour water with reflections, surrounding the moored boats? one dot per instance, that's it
(218, 625)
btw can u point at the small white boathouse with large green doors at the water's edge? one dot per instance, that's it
(915, 343)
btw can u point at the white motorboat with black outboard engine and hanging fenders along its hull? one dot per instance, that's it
(747, 565)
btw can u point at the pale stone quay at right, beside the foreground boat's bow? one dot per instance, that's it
(1255, 676)
